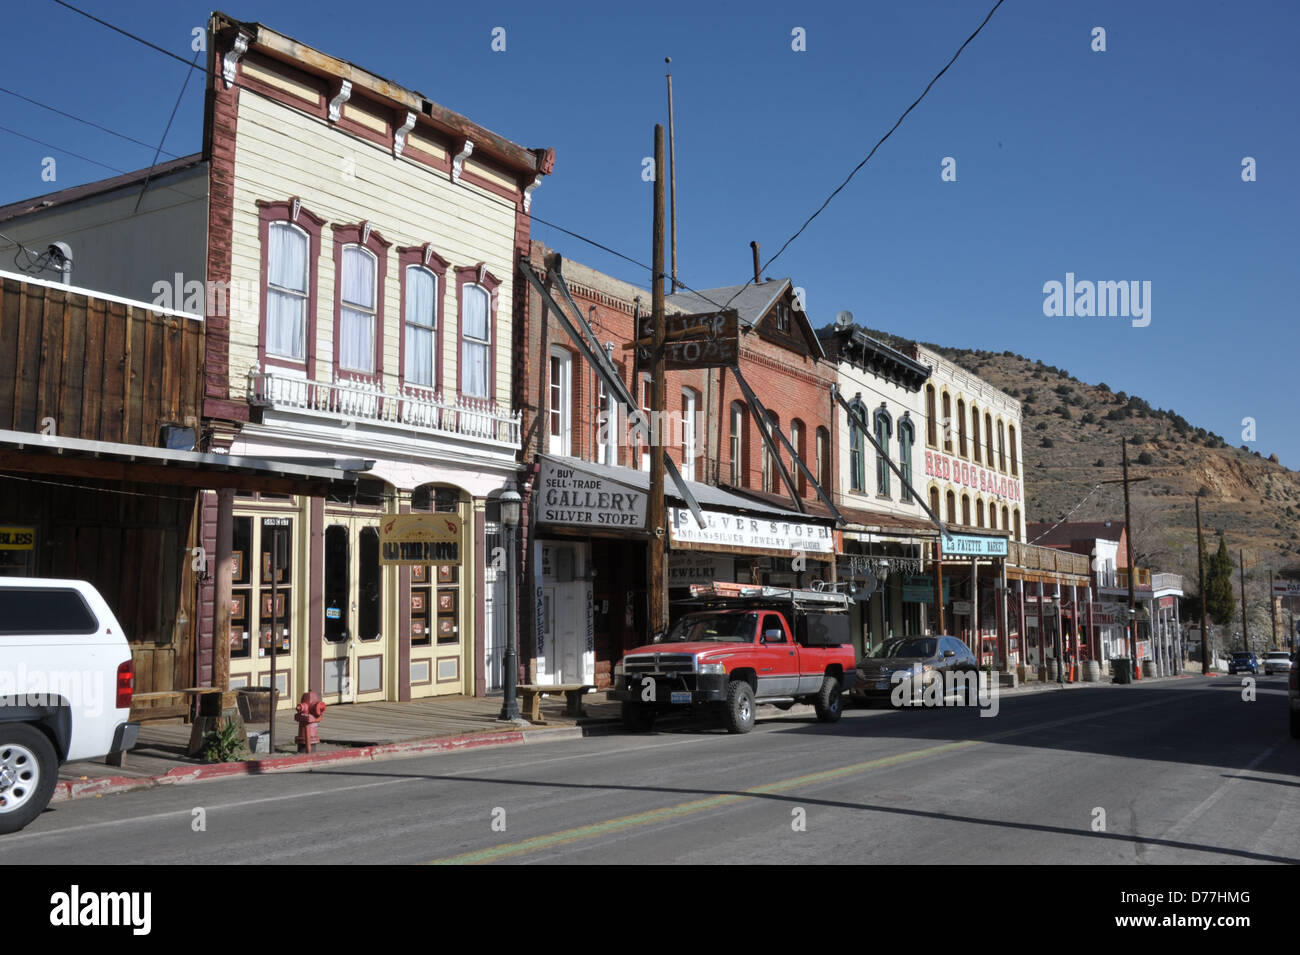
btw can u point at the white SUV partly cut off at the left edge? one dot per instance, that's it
(66, 689)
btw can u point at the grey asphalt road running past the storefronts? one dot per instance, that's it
(1162, 772)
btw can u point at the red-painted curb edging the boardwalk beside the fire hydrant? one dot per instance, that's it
(67, 791)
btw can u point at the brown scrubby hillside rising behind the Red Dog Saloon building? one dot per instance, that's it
(1072, 437)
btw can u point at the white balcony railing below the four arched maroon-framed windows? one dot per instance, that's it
(411, 409)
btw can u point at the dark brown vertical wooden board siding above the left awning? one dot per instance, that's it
(102, 371)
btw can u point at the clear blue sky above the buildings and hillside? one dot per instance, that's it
(1117, 166)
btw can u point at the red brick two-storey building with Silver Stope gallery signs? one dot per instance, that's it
(588, 576)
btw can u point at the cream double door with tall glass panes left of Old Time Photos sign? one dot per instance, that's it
(356, 652)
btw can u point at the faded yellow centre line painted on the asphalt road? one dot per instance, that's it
(640, 819)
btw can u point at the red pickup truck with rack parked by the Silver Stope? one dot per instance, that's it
(736, 650)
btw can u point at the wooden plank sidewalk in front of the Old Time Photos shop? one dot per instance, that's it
(356, 732)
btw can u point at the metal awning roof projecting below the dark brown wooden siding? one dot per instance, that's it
(102, 461)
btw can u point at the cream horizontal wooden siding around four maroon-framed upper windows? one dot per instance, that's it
(281, 153)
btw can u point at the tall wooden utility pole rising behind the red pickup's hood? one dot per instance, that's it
(656, 506)
